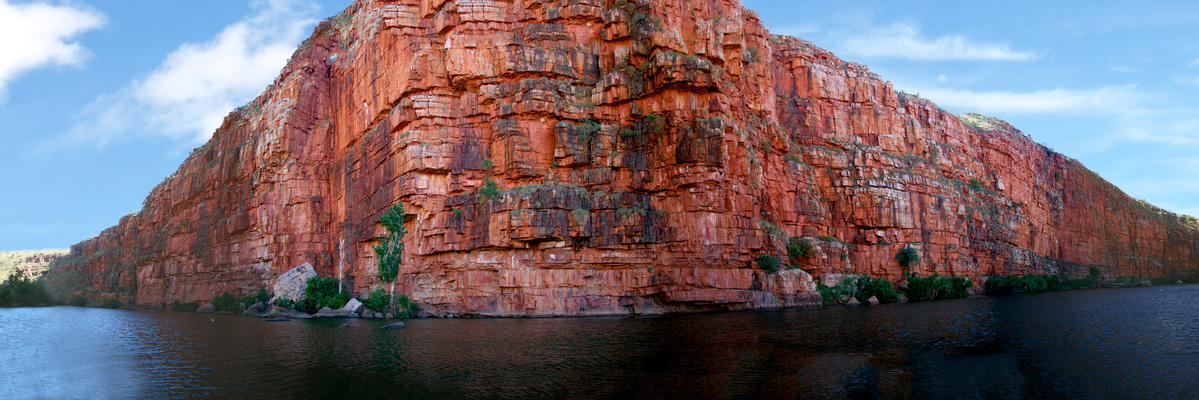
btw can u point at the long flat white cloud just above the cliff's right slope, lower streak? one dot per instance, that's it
(1049, 101)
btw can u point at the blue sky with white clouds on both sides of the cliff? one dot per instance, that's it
(100, 100)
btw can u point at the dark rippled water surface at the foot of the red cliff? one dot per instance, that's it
(1116, 344)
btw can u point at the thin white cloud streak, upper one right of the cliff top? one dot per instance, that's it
(903, 41)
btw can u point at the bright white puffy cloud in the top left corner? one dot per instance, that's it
(39, 34)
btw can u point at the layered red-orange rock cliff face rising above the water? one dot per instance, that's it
(606, 157)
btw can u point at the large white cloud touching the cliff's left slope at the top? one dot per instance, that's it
(189, 95)
